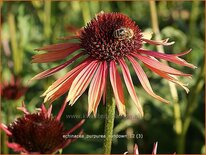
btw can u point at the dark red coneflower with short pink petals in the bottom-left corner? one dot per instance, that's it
(39, 132)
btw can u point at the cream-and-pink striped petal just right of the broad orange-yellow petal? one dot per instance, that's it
(81, 82)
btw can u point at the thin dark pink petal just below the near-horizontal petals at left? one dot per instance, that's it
(53, 70)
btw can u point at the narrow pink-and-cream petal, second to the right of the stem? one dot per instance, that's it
(130, 86)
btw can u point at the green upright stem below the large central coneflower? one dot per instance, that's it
(109, 120)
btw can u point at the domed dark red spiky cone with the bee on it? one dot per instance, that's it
(110, 36)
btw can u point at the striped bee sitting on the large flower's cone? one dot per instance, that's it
(123, 33)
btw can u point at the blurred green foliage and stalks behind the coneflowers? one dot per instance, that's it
(178, 127)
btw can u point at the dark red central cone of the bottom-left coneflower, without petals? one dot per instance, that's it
(36, 133)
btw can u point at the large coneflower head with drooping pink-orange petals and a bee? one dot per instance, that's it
(108, 41)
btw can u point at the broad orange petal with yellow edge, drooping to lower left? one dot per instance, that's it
(63, 84)
